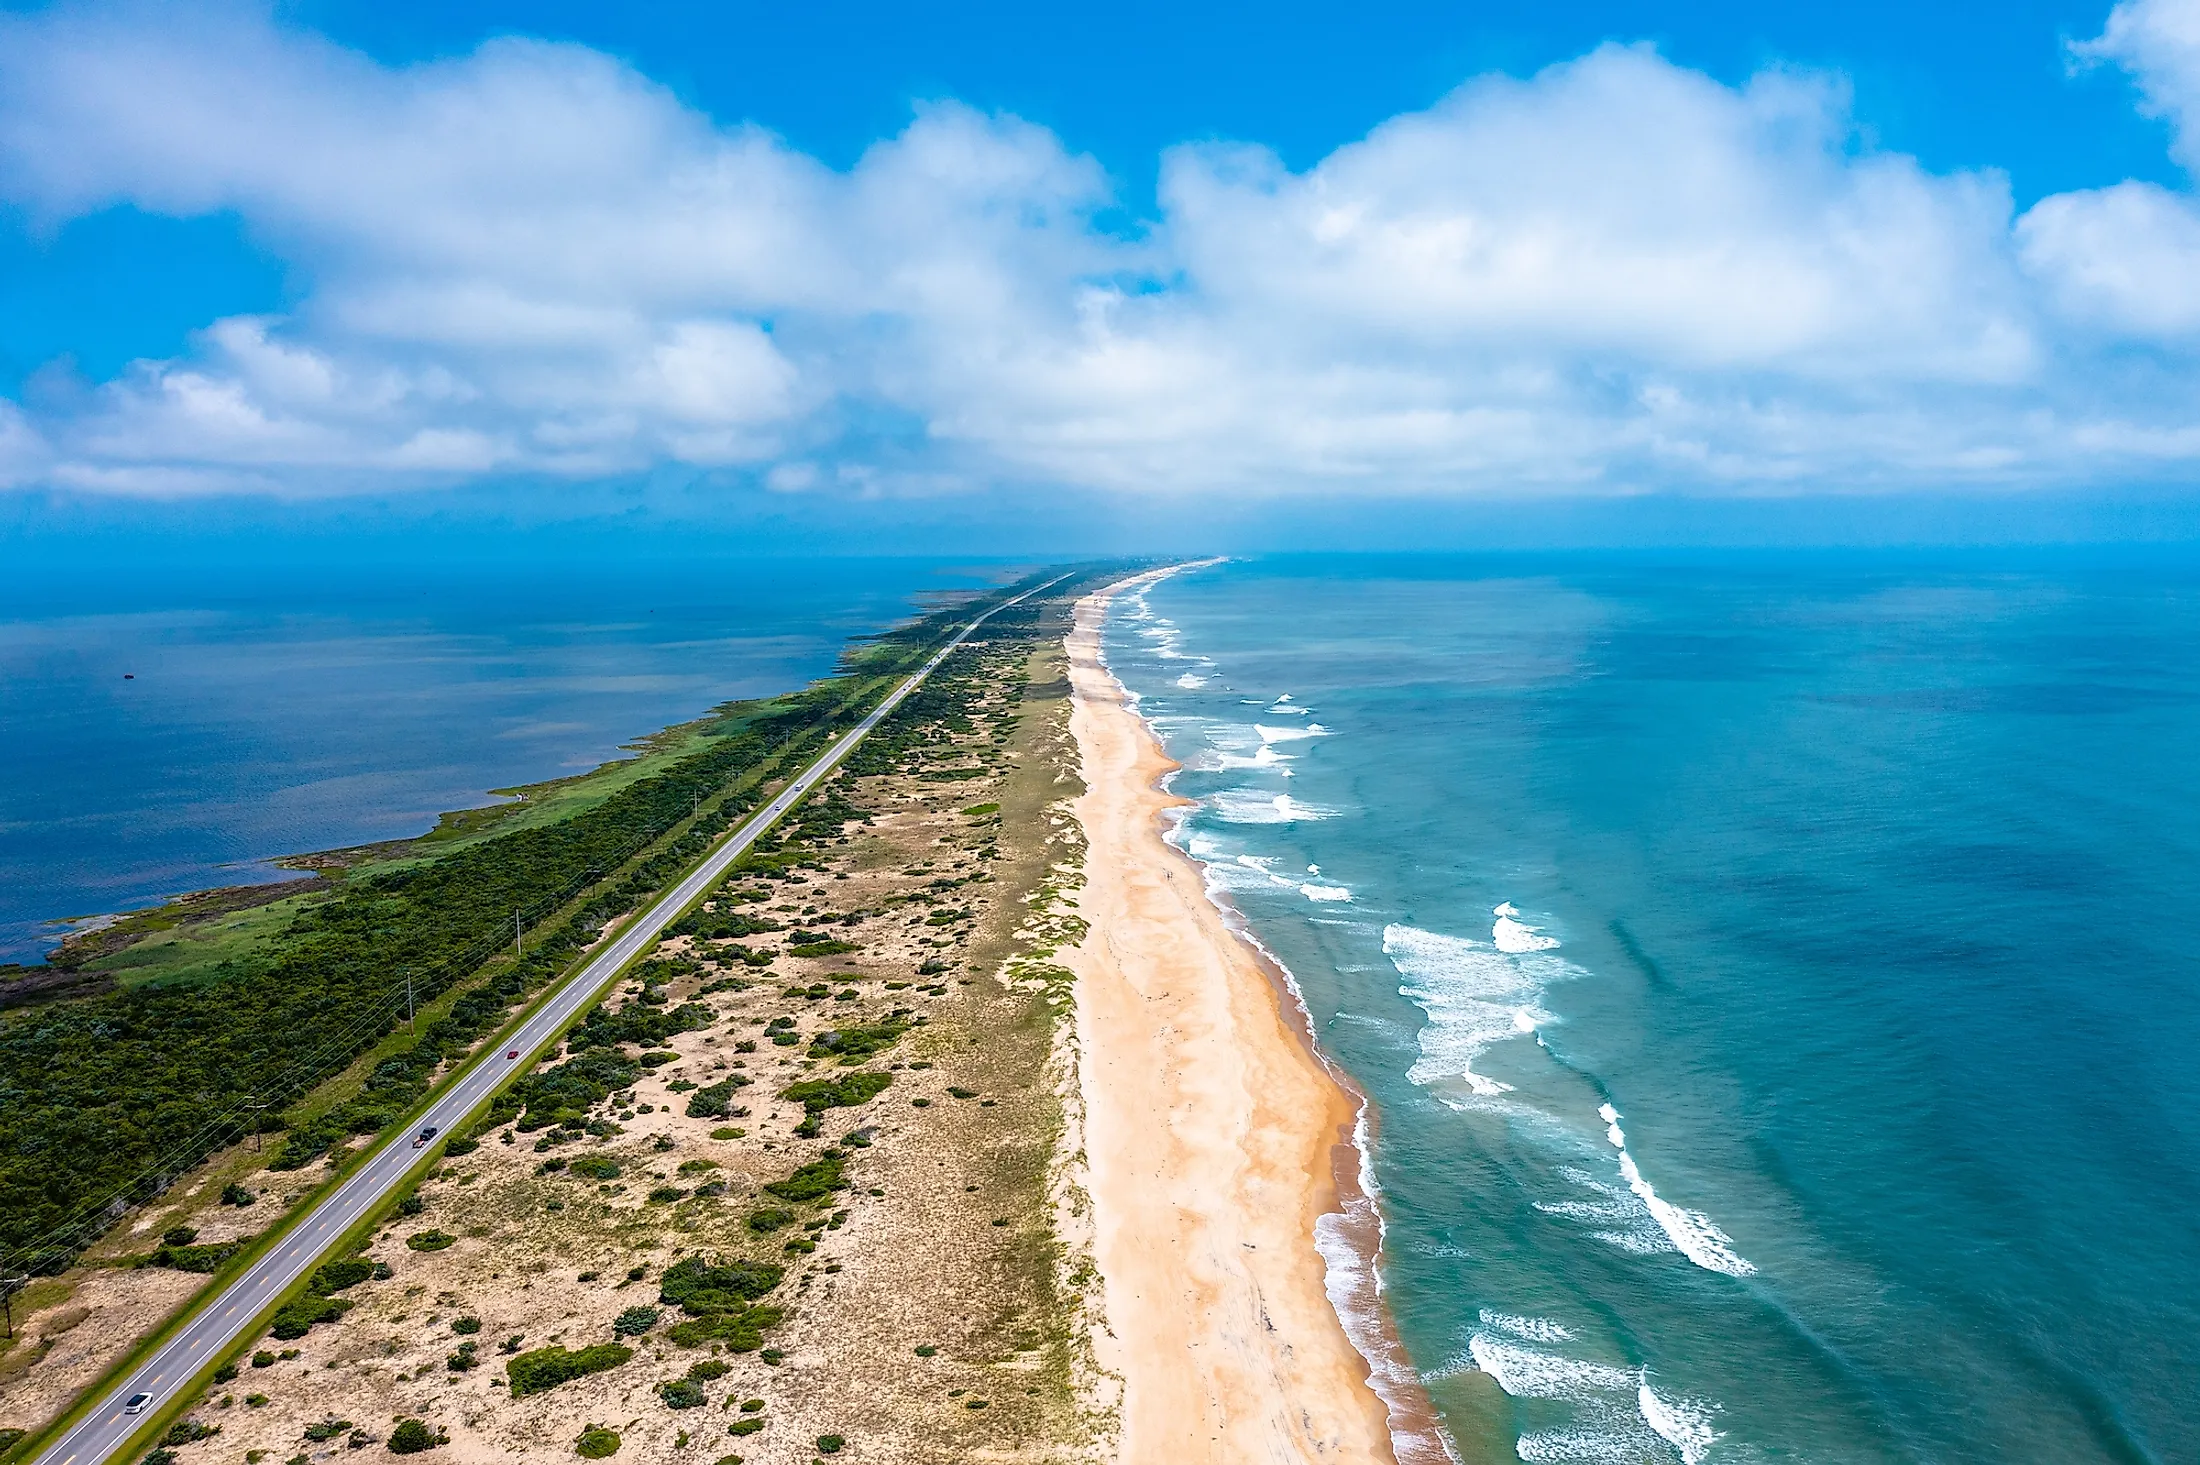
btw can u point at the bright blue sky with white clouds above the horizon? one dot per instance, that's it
(980, 269)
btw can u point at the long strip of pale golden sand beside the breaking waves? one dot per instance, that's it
(1213, 1138)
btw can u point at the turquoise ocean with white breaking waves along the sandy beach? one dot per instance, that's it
(1774, 980)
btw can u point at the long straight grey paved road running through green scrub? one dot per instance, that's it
(223, 1319)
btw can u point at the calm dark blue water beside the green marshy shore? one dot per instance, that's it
(276, 712)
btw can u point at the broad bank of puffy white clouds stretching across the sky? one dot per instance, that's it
(1614, 274)
